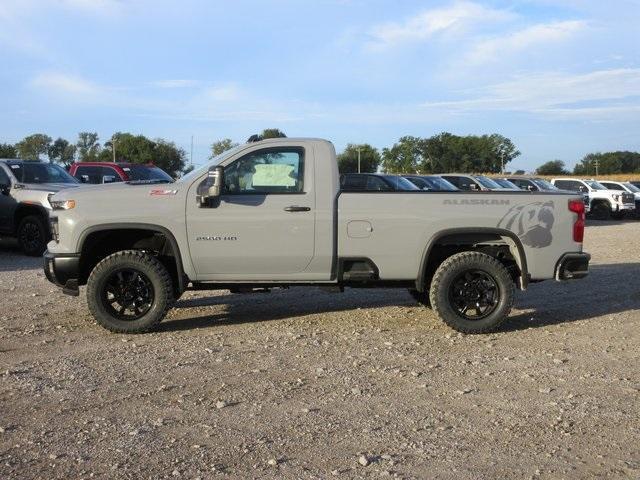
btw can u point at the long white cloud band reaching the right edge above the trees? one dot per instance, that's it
(597, 93)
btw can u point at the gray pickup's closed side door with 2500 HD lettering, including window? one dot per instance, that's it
(264, 223)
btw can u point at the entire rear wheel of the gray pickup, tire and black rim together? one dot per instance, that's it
(472, 292)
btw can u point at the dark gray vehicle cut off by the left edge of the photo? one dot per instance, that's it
(25, 188)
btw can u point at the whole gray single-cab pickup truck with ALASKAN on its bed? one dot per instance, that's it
(271, 214)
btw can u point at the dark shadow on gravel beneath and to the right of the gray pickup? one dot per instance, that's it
(609, 289)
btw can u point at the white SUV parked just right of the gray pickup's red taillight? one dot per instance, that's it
(604, 203)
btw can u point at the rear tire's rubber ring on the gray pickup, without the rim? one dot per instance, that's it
(452, 268)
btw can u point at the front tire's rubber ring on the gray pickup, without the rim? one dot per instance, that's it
(155, 272)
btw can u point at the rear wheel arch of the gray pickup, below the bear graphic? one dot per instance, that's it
(469, 237)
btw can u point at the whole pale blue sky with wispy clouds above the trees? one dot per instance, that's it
(560, 78)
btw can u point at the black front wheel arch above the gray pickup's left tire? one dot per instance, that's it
(137, 232)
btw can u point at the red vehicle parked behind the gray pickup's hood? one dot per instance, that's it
(109, 172)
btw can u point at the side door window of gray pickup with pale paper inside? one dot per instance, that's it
(273, 170)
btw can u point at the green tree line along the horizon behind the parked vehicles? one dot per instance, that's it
(444, 152)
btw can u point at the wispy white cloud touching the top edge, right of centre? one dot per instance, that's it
(425, 24)
